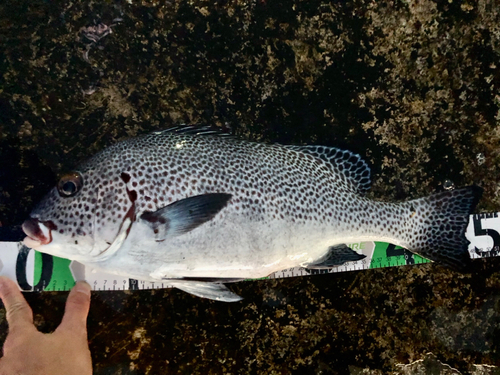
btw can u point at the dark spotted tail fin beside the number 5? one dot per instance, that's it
(438, 224)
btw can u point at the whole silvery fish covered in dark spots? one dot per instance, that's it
(198, 209)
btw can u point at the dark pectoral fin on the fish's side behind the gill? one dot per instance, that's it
(184, 215)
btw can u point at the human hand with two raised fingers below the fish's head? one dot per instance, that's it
(27, 351)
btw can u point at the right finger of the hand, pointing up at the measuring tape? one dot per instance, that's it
(77, 308)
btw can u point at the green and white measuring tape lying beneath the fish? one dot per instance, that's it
(35, 271)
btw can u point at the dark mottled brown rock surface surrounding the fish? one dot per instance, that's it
(413, 86)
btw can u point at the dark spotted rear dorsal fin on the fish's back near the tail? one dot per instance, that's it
(347, 163)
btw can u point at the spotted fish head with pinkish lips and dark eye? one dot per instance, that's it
(81, 217)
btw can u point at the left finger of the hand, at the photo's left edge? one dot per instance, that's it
(19, 314)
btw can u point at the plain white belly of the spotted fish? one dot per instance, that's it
(234, 248)
